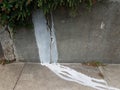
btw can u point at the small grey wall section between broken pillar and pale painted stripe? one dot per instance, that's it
(26, 45)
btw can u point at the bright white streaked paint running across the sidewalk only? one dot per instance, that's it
(69, 74)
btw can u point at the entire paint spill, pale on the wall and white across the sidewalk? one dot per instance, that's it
(48, 50)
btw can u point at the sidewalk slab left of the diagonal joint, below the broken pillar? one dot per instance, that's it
(9, 75)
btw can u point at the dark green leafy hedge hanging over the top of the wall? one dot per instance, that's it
(15, 12)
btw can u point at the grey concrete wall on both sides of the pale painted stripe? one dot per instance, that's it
(93, 35)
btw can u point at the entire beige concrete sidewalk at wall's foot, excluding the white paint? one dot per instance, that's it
(33, 76)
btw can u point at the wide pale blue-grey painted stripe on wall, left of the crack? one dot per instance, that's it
(42, 34)
